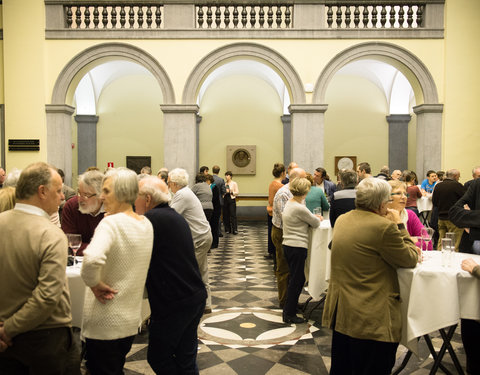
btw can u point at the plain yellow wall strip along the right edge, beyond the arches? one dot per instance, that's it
(462, 87)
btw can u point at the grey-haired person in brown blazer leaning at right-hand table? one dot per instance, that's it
(363, 300)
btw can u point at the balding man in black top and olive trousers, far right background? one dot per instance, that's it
(444, 196)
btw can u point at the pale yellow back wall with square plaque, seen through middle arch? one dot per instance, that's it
(242, 110)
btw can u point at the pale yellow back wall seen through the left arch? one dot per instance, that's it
(130, 121)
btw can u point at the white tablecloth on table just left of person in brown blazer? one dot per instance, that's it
(319, 268)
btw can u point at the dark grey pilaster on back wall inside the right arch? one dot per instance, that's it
(398, 141)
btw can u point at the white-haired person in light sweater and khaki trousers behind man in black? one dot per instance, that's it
(186, 203)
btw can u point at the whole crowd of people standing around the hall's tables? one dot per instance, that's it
(171, 228)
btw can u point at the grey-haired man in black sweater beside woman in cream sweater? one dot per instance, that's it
(175, 288)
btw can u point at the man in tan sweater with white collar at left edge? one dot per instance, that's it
(35, 317)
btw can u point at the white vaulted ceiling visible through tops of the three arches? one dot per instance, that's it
(396, 88)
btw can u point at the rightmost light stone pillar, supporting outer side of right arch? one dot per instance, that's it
(429, 138)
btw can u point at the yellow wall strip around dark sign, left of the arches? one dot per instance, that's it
(24, 85)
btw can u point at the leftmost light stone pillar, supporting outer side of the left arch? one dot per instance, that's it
(59, 138)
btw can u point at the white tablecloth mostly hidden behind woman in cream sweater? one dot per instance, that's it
(77, 297)
